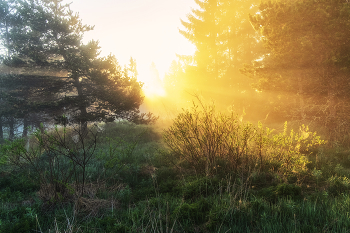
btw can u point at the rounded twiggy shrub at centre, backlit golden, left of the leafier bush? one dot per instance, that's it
(202, 137)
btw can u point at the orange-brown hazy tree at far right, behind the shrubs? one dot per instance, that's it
(307, 57)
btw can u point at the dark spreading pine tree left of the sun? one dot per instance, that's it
(47, 36)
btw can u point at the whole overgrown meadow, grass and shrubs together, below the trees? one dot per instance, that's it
(208, 172)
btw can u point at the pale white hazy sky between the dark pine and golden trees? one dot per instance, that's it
(147, 30)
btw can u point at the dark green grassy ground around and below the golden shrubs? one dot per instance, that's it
(135, 184)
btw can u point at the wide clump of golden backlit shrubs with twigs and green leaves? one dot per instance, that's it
(211, 141)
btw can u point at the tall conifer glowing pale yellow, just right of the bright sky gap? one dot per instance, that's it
(224, 41)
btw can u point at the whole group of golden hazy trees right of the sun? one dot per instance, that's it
(288, 59)
